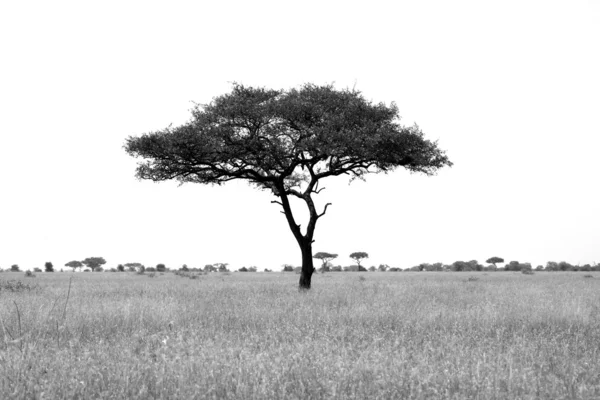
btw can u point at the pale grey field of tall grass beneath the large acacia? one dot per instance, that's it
(254, 336)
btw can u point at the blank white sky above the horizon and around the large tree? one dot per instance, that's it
(510, 88)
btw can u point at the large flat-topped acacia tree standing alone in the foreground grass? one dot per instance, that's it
(286, 141)
